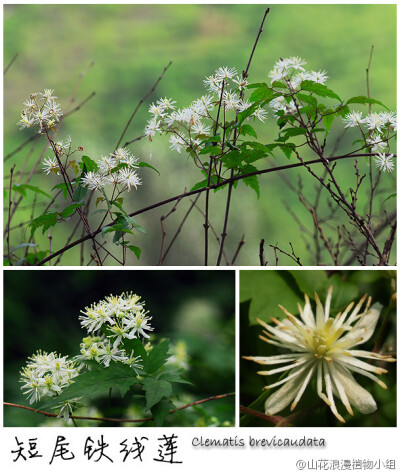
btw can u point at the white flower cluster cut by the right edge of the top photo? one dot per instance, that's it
(376, 128)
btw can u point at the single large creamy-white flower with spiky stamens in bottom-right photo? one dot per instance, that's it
(322, 345)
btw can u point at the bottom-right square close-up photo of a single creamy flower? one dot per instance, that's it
(318, 348)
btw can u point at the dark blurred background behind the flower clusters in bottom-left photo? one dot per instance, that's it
(194, 309)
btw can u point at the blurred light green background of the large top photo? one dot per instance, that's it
(130, 45)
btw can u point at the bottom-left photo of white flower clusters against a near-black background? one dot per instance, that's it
(119, 348)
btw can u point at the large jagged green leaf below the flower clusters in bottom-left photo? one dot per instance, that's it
(96, 381)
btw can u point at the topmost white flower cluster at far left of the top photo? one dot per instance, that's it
(40, 110)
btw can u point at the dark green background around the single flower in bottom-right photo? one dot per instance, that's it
(260, 294)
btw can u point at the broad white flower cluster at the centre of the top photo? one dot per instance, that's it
(189, 126)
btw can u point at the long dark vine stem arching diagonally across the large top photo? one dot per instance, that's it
(201, 190)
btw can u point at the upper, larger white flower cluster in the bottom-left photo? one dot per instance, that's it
(114, 319)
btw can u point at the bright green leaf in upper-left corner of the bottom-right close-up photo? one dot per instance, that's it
(267, 290)
